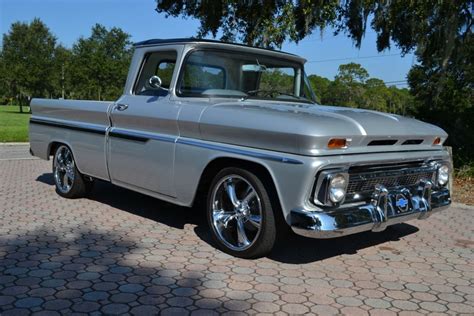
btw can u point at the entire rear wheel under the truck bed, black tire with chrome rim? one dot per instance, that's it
(78, 186)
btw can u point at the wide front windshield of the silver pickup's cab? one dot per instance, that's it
(220, 73)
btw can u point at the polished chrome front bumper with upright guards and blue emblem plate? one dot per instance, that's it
(374, 216)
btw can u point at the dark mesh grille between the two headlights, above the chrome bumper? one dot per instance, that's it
(365, 182)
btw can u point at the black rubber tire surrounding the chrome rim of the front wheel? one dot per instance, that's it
(264, 240)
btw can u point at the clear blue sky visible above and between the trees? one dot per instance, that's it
(70, 19)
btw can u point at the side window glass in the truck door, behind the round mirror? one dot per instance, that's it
(159, 64)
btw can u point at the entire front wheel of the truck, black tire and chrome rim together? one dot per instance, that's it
(240, 214)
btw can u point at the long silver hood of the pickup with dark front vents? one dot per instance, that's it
(305, 129)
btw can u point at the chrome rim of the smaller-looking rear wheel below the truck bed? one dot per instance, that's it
(64, 169)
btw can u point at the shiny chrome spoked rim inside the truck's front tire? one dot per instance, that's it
(236, 212)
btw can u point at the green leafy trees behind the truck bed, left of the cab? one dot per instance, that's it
(33, 65)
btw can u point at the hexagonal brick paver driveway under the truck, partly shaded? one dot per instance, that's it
(122, 252)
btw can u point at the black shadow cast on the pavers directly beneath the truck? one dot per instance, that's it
(290, 248)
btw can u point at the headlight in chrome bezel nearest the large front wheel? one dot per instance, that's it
(331, 188)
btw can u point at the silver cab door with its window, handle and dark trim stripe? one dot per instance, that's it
(142, 138)
